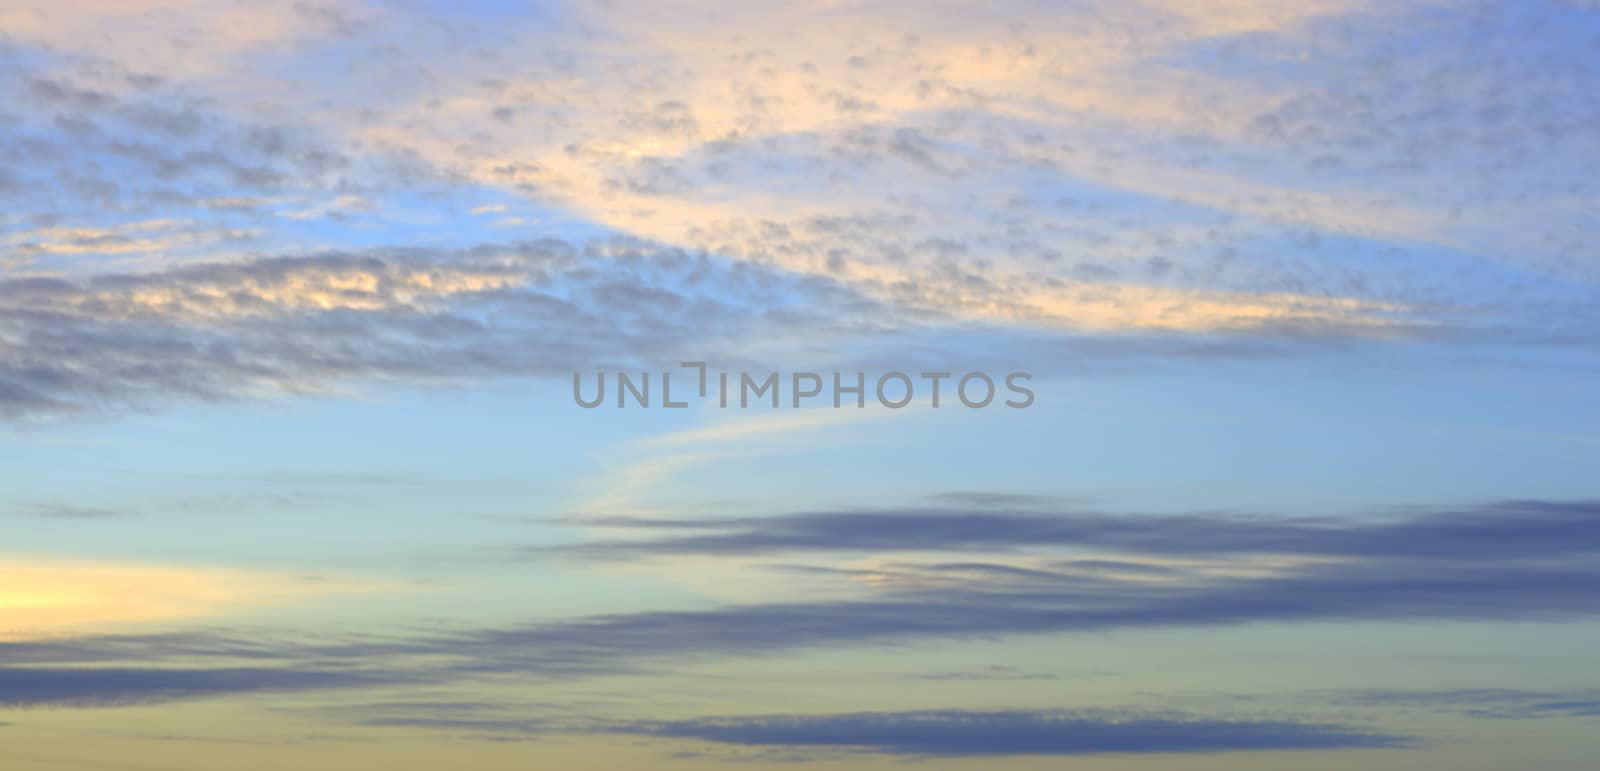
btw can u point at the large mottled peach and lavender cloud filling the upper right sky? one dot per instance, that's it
(988, 167)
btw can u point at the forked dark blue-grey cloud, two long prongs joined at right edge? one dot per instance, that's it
(1526, 561)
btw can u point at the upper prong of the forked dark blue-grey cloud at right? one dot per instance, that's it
(1497, 532)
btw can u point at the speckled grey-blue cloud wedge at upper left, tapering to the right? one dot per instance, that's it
(159, 174)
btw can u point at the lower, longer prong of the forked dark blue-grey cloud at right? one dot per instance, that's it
(1351, 593)
